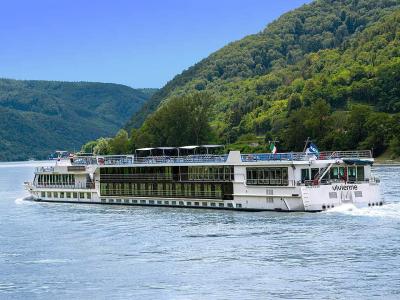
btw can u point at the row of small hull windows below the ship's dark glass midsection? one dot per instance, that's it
(171, 203)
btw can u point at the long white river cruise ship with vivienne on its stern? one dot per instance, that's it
(252, 182)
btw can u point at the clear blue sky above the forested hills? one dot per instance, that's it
(138, 43)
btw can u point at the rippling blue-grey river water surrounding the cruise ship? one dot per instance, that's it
(65, 251)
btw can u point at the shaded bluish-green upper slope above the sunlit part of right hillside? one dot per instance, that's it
(324, 24)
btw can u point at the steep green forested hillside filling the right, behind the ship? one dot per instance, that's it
(329, 70)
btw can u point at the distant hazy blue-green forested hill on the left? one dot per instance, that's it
(38, 117)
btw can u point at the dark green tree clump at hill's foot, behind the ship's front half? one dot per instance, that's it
(182, 120)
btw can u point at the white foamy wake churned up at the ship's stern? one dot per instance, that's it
(391, 210)
